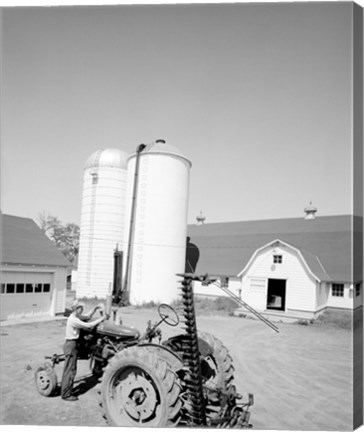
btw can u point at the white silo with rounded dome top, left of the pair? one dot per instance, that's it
(102, 221)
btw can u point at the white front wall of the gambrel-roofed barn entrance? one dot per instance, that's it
(300, 284)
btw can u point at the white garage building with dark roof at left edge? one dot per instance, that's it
(33, 271)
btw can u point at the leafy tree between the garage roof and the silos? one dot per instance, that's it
(65, 237)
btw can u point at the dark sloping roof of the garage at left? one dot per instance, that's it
(23, 242)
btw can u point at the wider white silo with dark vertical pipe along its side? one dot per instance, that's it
(158, 243)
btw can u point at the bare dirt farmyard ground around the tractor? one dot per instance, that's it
(301, 378)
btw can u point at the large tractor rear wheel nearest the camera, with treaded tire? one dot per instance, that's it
(139, 389)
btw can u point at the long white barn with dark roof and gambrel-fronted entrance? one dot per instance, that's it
(295, 267)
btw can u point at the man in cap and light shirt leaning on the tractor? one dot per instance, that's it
(76, 321)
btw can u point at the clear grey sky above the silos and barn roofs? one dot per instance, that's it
(257, 96)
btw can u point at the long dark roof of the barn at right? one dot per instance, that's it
(326, 243)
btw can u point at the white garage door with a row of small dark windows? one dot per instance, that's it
(25, 293)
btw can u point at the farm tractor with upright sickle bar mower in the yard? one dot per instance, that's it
(185, 380)
